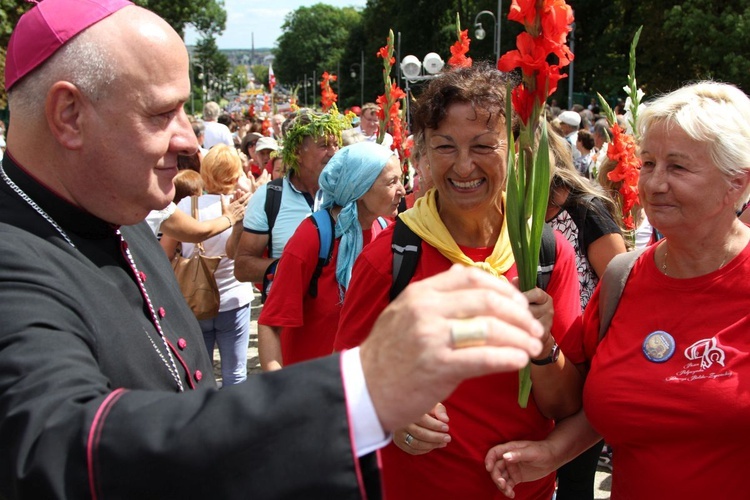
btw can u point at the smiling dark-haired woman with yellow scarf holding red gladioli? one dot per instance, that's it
(461, 120)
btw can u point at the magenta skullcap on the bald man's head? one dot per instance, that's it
(47, 27)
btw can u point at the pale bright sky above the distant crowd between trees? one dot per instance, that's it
(261, 18)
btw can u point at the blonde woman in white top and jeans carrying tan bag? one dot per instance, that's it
(230, 329)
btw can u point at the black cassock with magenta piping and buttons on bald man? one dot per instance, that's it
(89, 398)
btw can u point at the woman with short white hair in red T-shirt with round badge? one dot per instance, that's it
(667, 388)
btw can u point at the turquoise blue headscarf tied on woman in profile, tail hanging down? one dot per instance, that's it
(345, 179)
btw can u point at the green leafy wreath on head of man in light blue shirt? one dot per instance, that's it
(315, 125)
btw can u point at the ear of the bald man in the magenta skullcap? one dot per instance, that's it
(63, 108)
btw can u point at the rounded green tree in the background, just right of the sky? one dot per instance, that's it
(313, 40)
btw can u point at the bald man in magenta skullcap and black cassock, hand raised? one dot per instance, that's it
(106, 389)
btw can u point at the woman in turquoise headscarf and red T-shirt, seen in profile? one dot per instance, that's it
(359, 184)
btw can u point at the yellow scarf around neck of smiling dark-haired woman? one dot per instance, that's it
(425, 221)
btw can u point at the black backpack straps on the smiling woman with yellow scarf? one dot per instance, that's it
(407, 247)
